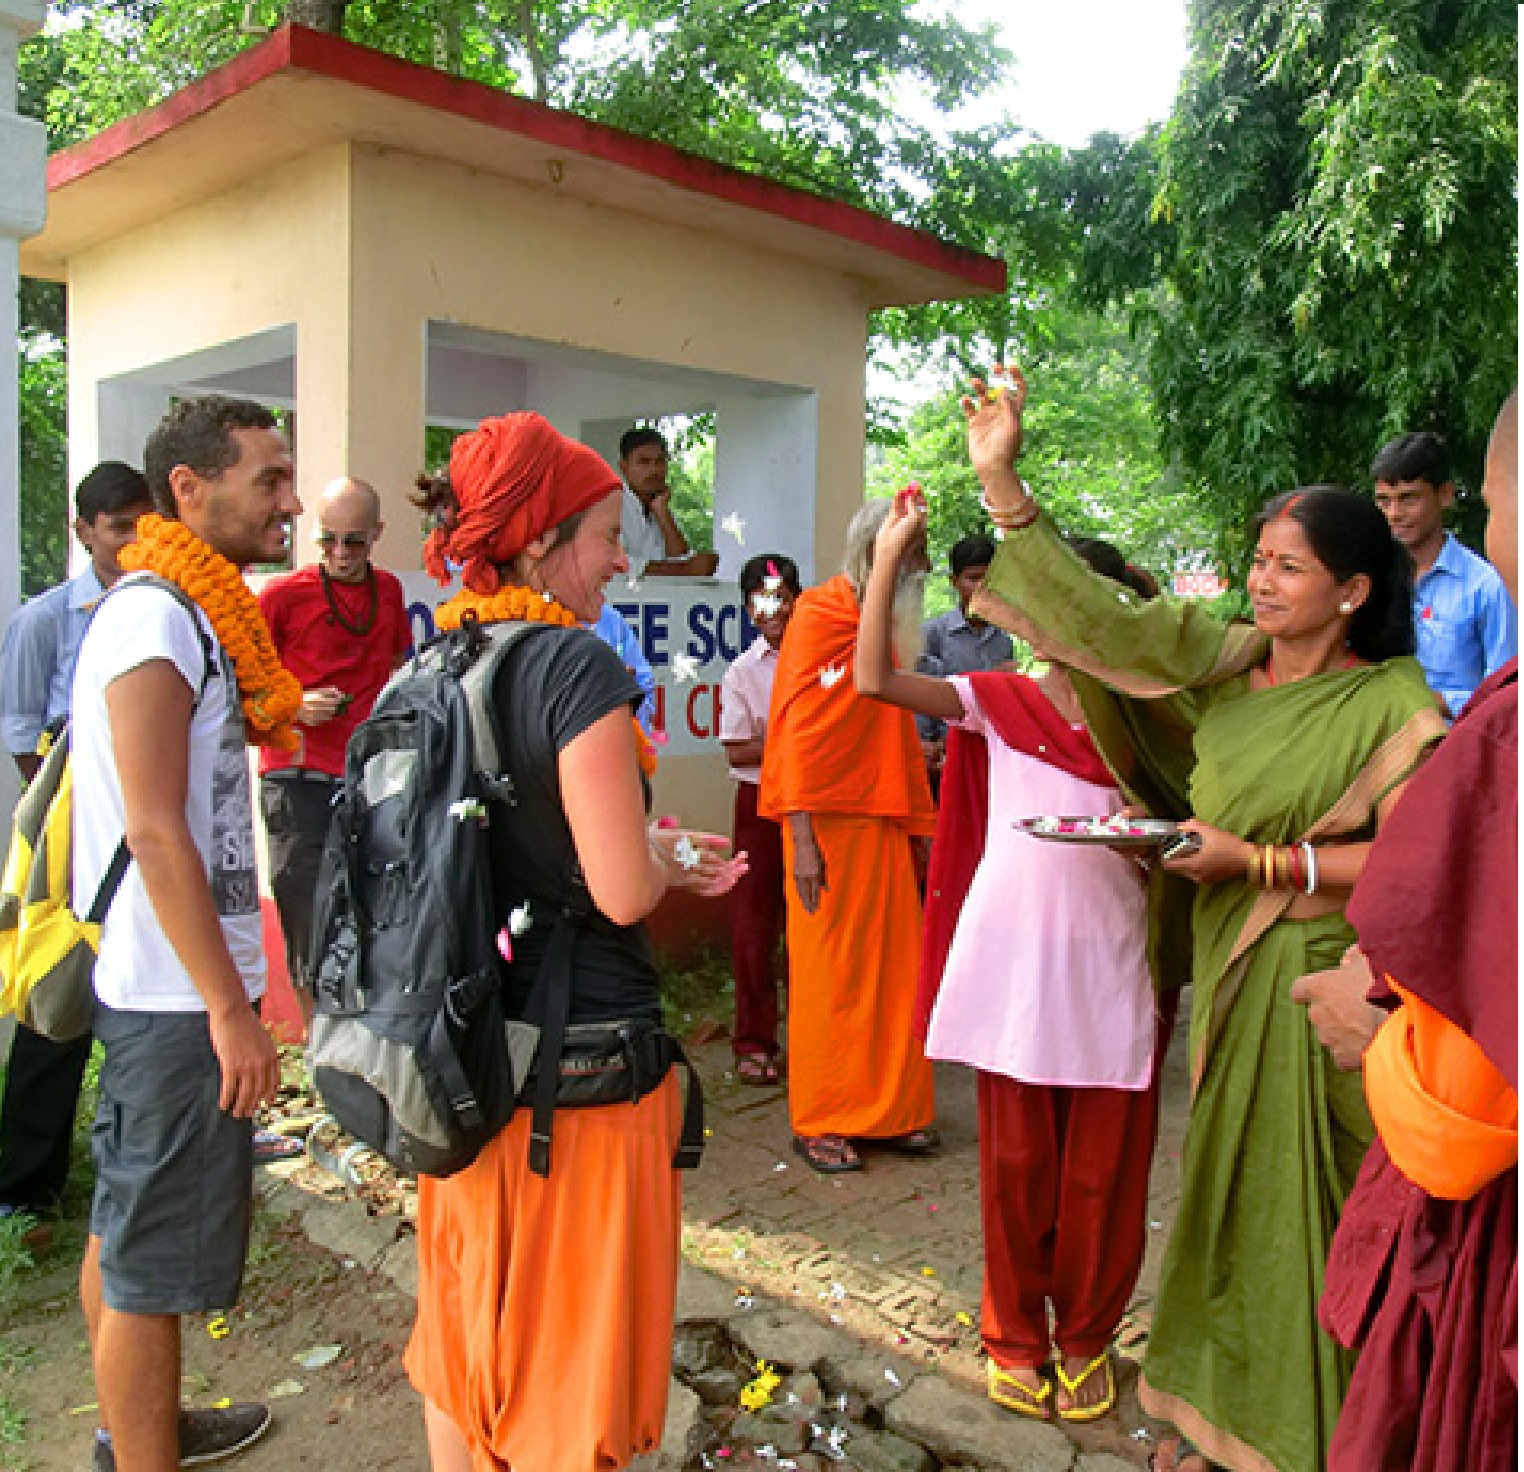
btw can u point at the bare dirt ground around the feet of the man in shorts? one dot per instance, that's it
(354, 1412)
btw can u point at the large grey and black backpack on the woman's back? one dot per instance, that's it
(409, 1046)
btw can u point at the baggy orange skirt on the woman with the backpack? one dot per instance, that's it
(545, 1307)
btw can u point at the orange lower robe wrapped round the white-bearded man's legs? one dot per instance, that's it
(856, 1064)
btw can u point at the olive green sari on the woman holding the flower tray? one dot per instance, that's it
(1276, 1136)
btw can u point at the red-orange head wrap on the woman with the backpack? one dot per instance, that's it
(514, 479)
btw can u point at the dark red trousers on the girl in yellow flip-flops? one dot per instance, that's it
(1063, 1177)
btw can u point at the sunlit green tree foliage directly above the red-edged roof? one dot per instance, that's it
(818, 94)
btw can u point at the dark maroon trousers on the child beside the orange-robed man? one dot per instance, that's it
(757, 926)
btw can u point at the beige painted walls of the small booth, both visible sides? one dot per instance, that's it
(362, 248)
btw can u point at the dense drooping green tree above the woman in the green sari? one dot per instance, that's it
(1337, 187)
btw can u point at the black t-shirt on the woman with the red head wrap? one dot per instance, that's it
(551, 690)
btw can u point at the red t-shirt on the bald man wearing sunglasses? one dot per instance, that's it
(321, 651)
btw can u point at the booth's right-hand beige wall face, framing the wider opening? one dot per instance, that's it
(441, 243)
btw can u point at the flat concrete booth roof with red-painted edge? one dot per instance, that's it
(303, 91)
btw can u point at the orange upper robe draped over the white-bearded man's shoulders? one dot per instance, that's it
(830, 749)
